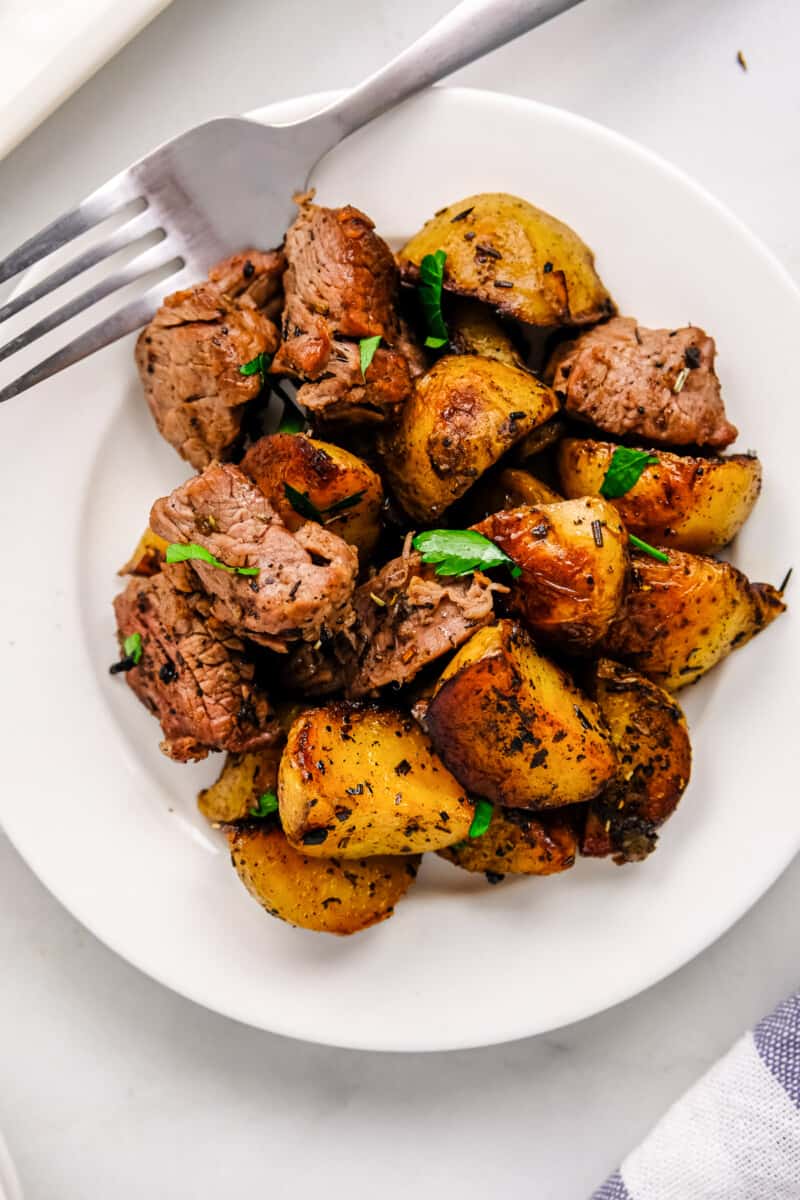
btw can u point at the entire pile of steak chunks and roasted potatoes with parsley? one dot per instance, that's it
(447, 607)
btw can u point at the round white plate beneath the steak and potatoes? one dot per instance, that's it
(111, 826)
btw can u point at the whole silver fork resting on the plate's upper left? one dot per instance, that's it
(224, 187)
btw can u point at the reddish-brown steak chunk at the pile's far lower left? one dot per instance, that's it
(193, 674)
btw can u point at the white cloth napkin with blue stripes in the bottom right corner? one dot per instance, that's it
(736, 1135)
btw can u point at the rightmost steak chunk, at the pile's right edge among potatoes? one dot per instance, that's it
(657, 385)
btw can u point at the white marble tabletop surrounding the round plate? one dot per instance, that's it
(111, 1087)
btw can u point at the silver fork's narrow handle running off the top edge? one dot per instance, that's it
(471, 31)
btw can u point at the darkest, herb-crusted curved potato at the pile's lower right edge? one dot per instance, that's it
(655, 763)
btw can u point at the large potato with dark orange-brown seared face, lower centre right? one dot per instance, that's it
(514, 728)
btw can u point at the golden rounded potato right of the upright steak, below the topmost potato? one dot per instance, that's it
(462, 417)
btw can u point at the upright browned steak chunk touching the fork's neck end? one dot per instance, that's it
(341, 286)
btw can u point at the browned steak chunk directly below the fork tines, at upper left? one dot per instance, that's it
(190, 355)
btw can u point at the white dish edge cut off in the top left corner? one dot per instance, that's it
(47, 51)
